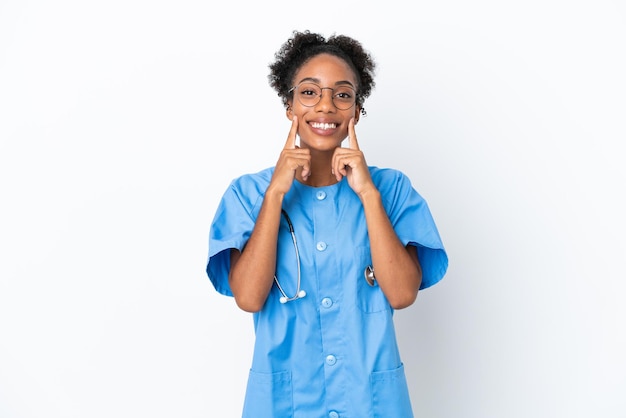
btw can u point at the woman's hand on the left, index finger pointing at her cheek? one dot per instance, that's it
(292, 158)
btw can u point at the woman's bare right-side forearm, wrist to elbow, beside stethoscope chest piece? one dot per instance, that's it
(396, 268)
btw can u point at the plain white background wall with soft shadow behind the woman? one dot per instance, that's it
(122, 123)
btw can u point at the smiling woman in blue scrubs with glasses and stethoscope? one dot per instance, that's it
(322, 248)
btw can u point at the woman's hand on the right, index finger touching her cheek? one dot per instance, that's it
(350, 162)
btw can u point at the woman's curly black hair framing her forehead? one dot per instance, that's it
(303, 46)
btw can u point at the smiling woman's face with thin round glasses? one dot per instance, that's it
(323, 124)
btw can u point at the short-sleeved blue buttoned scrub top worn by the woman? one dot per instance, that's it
(332, 353)
